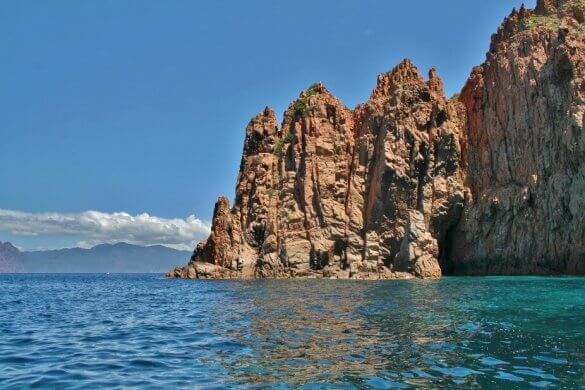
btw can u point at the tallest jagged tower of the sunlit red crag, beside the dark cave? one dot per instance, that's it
(407, 158)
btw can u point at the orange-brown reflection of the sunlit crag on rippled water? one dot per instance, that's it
(339, 331)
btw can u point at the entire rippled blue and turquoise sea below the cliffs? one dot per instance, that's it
(141, 331)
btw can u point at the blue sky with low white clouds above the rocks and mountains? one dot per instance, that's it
(123, 120)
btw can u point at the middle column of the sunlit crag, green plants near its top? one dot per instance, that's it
(313, 178)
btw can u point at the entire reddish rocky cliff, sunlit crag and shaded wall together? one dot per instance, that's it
(410, 183)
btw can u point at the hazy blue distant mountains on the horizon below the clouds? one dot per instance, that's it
(115, 258)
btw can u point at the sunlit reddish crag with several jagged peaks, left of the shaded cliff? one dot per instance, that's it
(330, 192)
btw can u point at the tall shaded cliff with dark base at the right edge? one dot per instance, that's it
(526, 148)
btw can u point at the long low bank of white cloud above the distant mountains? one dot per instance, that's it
(94, 227)
